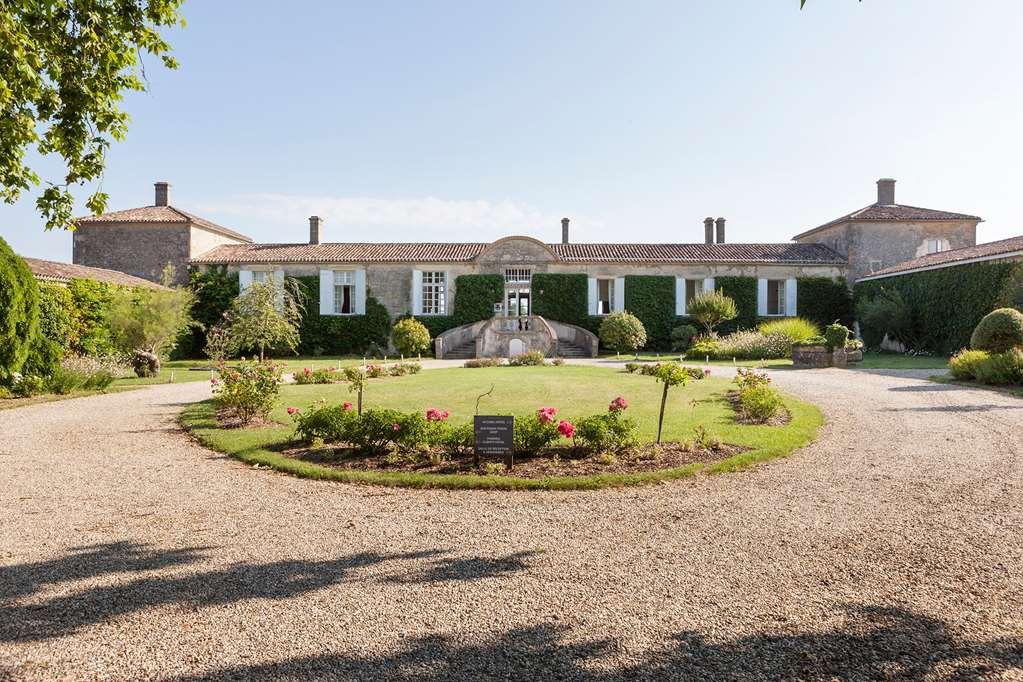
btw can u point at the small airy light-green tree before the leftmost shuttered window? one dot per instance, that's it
(266, 316)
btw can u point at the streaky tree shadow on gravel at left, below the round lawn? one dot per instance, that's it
(279, 580)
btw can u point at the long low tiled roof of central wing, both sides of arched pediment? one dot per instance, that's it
(453, 253)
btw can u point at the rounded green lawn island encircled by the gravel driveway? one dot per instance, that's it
(576, 391)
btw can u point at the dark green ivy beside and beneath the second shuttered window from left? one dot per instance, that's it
(336, 335)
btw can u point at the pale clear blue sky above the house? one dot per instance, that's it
(460, 121)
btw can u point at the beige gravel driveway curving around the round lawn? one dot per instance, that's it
(891, 549)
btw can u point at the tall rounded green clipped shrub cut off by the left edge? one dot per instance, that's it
(19, 312)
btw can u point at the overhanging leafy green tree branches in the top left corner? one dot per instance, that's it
(65, 69)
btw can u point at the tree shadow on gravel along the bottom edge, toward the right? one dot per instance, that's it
(876, 644)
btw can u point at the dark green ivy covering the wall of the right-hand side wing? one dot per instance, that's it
(946, 305)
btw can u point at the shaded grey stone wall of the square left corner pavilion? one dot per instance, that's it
(141, 250)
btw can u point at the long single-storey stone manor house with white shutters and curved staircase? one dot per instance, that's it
(422, 279)
